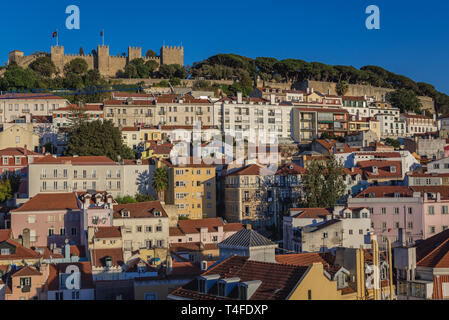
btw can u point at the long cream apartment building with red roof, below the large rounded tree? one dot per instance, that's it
(53, 174)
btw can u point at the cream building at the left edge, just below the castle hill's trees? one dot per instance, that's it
(15, 106)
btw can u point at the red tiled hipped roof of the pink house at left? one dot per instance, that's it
(50, 202)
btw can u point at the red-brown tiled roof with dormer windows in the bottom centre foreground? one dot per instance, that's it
(277, 280)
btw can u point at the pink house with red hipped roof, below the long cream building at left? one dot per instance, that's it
(47, 220)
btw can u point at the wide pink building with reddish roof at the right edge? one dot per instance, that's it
(421, 211)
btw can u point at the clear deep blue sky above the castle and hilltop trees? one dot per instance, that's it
(413, 40)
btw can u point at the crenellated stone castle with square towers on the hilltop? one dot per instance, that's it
(107, 65)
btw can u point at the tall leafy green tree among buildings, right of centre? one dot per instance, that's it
(323, 184)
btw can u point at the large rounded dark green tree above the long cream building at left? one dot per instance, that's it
(98, 138)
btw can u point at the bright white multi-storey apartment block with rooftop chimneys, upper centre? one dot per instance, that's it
(253, 118)
